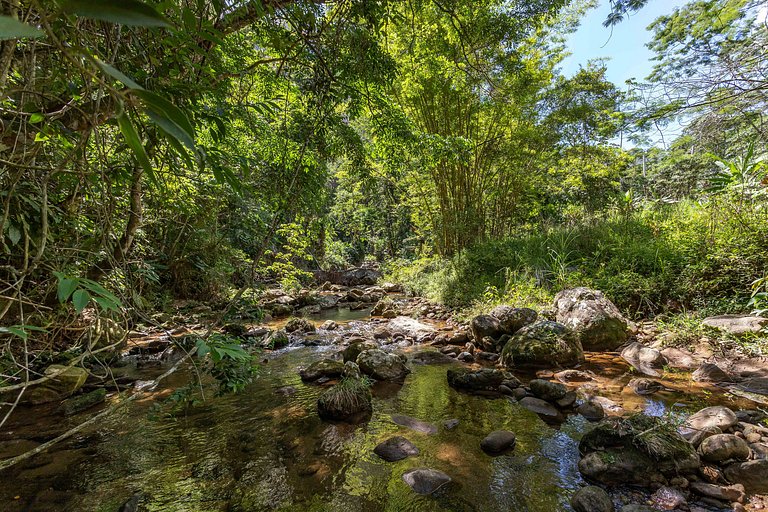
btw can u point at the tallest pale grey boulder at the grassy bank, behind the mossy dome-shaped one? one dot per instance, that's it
(597, 321)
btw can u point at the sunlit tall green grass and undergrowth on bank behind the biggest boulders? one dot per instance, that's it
(655, 259)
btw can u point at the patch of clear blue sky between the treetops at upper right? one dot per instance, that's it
(624, 45)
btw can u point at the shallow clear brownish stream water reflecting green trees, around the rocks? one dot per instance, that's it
(266, 449)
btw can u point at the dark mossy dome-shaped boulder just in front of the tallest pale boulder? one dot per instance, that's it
(543, 344)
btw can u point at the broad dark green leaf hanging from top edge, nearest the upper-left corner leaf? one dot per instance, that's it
(125, 12)
